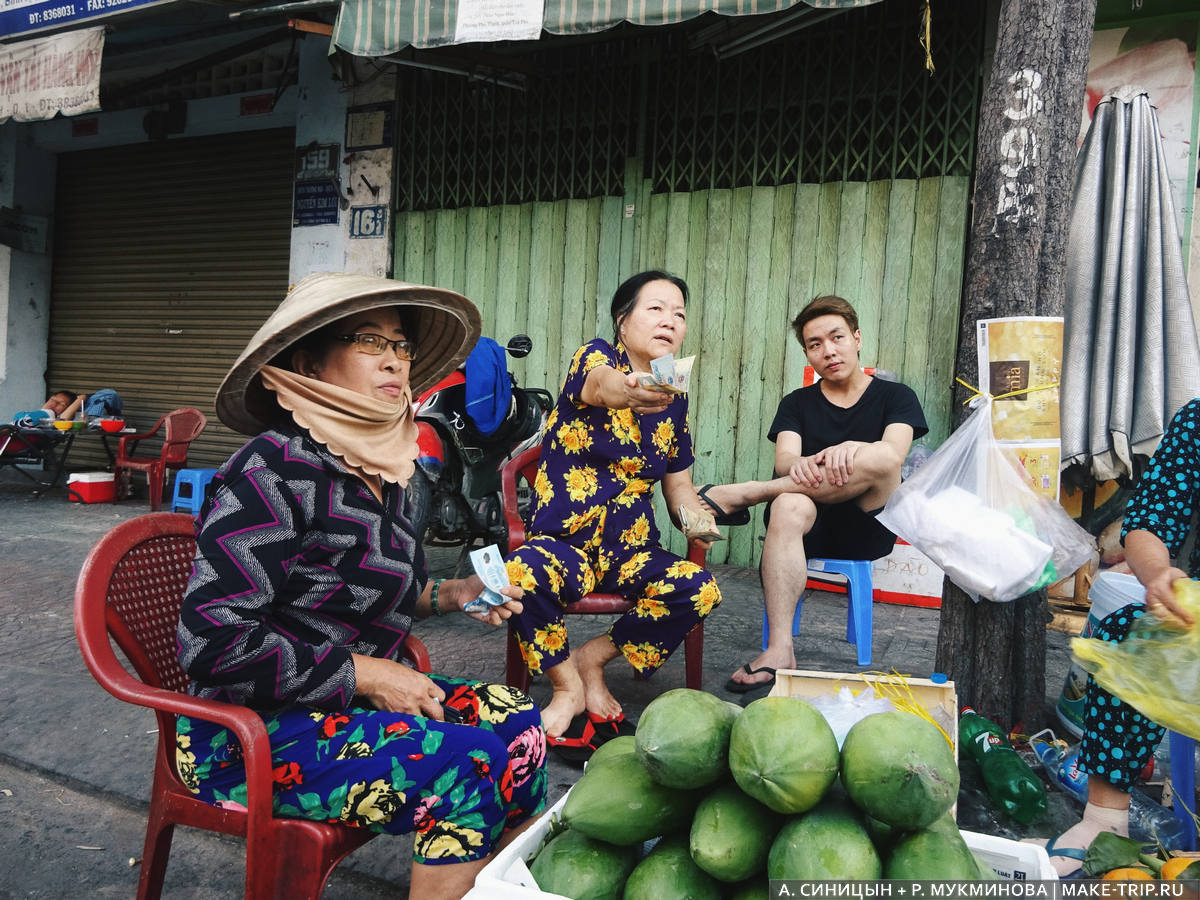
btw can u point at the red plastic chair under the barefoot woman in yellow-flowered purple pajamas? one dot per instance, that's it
(525, 466)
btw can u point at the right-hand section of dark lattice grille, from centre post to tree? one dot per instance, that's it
(847, 100)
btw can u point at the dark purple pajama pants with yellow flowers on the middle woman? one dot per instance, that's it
(671, 597)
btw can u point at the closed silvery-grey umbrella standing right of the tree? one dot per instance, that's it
(1131, 355)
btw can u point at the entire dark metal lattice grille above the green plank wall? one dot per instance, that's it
(848, 99)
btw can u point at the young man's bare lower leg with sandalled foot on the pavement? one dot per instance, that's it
(784, 575)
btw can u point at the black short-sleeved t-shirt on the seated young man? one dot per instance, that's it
(823, 424)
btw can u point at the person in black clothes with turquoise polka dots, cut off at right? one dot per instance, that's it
(1118, 740)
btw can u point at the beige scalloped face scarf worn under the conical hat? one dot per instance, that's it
(371, 436)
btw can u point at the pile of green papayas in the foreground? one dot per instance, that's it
(735, 797)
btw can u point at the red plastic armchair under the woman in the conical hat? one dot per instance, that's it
(130, 592)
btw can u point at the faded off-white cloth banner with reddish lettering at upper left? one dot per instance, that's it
(47, 76)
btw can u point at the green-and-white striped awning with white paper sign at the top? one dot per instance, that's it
(379, 28)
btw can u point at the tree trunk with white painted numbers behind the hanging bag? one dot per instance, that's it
(1025, 164)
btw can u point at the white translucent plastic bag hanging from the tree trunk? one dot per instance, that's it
(970, 512)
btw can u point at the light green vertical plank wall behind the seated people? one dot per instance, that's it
(753, 259)
